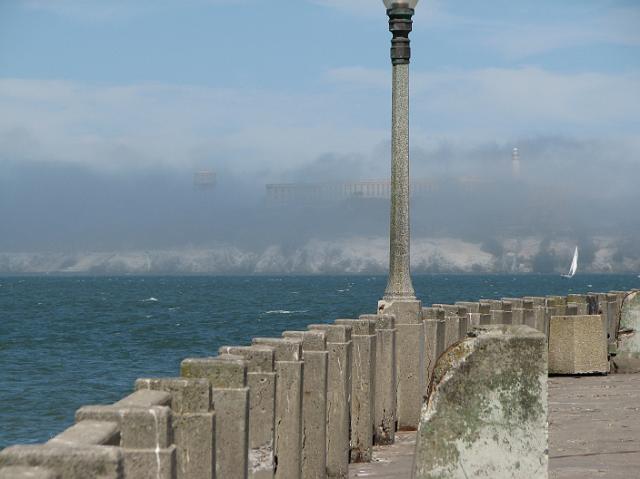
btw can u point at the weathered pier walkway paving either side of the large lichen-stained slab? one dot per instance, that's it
(594, 432)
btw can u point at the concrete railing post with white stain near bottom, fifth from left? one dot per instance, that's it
(261, 380)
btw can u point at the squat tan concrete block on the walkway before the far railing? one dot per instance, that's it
(577, 345)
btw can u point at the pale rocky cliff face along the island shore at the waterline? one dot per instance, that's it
(352, 255)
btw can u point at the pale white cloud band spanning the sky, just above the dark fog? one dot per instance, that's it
(265, 131)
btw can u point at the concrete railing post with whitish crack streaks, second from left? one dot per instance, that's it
(146, 438)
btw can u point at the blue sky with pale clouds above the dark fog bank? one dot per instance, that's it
(265, 88)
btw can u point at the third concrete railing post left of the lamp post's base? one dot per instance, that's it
(338, 398)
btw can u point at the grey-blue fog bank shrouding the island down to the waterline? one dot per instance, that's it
(479, 214)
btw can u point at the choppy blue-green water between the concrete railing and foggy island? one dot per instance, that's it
(66, 342)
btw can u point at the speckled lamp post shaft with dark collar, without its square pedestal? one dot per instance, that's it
(399, 286)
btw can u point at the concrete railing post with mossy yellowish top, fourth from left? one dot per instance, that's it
(227, 375)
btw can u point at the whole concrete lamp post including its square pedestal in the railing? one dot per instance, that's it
(399, 297)
